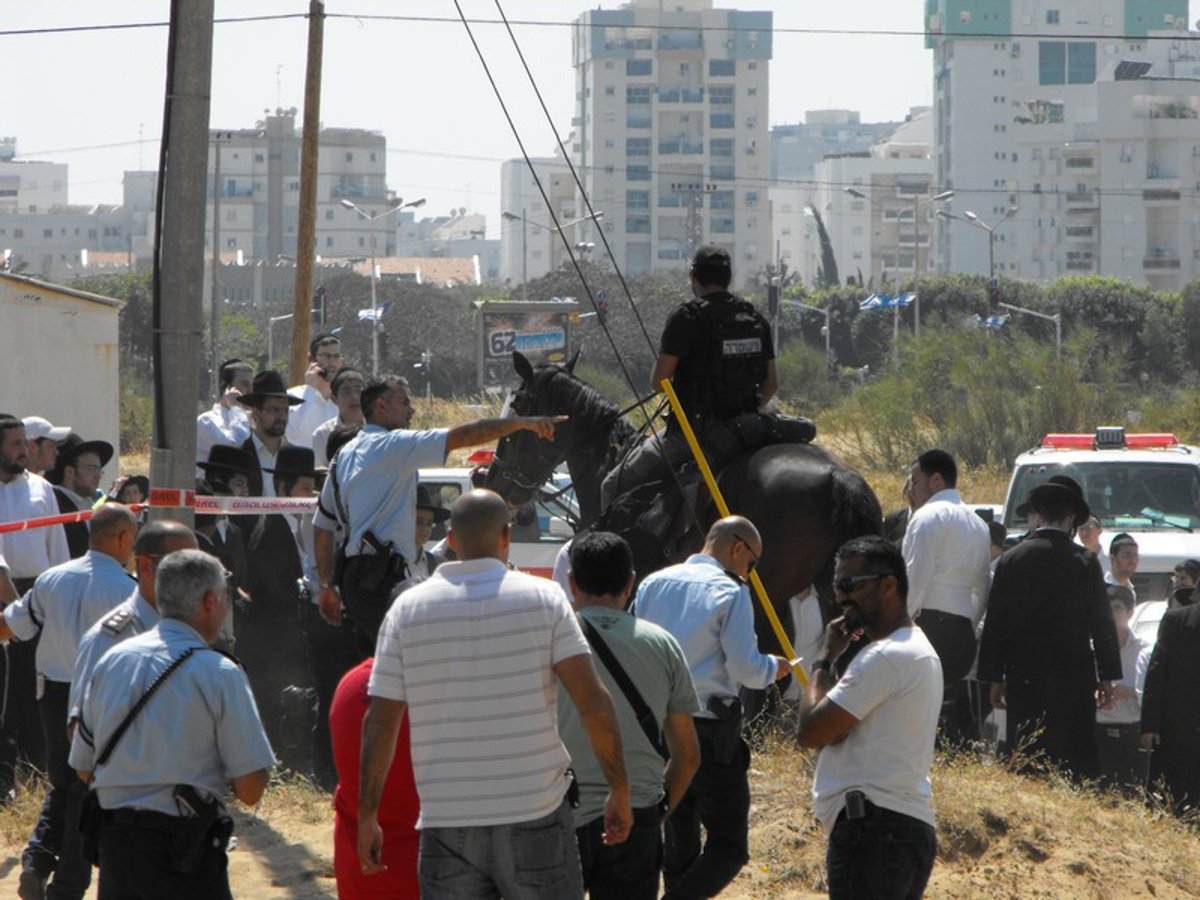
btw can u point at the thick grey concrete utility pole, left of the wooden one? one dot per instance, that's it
(179, 248)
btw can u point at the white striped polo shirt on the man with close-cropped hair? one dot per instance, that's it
(472, 651)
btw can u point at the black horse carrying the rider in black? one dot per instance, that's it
(805, 502)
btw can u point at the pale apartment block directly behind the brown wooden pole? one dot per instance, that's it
(259, 190)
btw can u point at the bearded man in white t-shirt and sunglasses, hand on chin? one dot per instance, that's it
(875, 729)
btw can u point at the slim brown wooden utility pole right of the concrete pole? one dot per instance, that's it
(307, 231)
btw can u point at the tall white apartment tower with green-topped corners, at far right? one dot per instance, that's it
(1024, 98)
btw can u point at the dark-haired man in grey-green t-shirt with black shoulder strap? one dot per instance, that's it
(602, 578)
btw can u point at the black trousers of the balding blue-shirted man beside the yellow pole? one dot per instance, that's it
(718, 800)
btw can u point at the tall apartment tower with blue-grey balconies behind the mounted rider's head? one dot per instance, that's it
(671, 131)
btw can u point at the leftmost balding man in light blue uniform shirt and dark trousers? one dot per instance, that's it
(58, 610)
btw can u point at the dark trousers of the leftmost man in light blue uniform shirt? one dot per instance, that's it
(55, 844)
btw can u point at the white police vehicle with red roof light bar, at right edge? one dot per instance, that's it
(1147, 485)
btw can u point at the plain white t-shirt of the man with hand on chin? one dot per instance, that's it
(895, 689)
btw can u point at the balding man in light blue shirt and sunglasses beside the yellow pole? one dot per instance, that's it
(705, 604)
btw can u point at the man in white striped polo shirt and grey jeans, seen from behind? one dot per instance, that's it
(473, 655)
